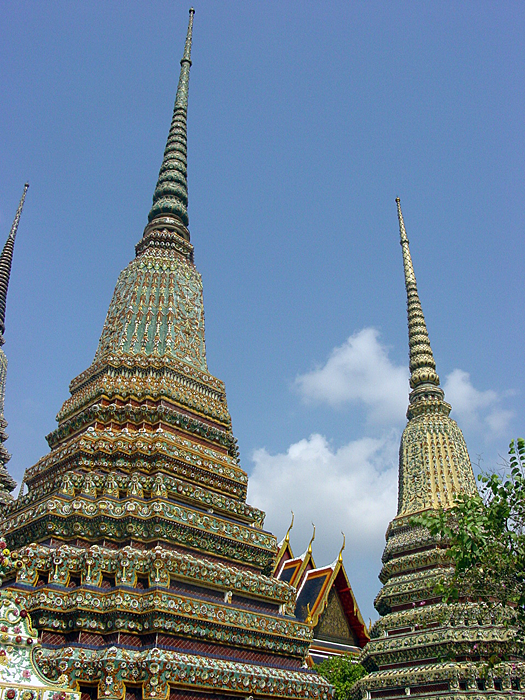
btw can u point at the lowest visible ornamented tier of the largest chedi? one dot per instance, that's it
(155, 674)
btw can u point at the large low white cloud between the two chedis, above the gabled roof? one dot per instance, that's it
(352, 489)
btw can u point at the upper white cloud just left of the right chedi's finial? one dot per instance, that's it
(360, 371)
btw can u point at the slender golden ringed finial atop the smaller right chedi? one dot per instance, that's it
(422, 365)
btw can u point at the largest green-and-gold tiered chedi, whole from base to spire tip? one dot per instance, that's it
(146, 572)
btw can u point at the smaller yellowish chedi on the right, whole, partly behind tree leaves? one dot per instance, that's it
(422, 646)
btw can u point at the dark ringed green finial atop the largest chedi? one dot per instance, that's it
(171, 193)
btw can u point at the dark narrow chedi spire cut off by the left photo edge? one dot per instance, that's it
(7, 483)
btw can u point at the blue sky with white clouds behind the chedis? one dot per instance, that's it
(306, 120)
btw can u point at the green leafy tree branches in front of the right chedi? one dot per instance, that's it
(486, 538)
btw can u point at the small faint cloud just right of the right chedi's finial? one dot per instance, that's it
(475, 409)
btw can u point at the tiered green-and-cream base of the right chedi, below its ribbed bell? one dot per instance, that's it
(428, 648)
